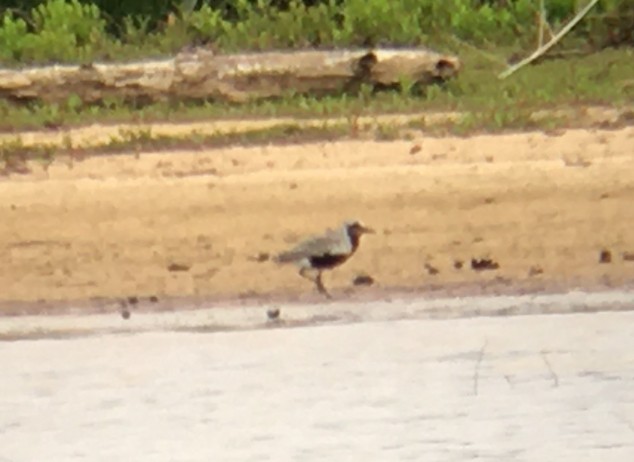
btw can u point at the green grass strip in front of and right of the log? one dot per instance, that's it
(603, 78)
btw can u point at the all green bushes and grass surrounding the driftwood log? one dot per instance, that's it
(483, 33)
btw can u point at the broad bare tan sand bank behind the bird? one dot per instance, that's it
(192, 224)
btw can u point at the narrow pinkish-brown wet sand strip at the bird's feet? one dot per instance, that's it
(431, 292)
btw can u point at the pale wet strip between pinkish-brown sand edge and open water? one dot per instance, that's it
(400, 307)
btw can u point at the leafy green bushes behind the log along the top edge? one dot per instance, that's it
(79, 31)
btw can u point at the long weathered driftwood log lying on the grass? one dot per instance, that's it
(202, 74)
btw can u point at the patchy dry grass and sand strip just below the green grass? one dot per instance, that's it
(17, 157)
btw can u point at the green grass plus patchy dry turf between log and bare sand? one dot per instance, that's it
(483, 102)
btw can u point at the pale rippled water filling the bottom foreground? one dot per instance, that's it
(526, 388)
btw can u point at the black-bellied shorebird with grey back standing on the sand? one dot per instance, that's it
(325, 252)
